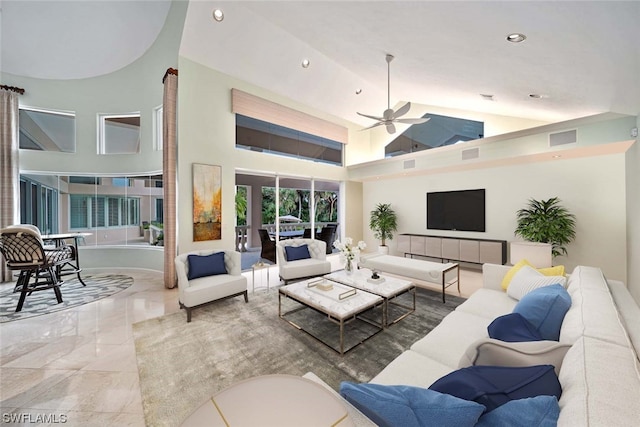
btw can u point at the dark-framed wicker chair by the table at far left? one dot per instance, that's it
(24, 251)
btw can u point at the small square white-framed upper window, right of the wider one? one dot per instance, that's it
(119, 134)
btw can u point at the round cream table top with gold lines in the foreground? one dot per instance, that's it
(272, 400)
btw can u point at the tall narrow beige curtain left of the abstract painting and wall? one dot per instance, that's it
(169, 174)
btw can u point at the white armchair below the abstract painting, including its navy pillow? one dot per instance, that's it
(209, 275)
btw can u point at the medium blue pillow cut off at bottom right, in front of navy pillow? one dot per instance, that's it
(539, 411)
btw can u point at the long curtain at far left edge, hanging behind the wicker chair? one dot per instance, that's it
(9, 168)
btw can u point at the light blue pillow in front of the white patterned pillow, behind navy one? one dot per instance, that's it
(545, 308)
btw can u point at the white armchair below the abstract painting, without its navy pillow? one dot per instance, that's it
(203, 290)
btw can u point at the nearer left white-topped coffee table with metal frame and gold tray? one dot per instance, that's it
(337, 303)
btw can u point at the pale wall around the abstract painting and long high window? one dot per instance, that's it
(207, 135)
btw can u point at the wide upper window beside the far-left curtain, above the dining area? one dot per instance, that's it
(46, 130)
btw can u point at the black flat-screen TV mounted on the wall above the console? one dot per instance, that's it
(456, 210)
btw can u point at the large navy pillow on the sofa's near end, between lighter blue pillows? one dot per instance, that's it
(493, 386)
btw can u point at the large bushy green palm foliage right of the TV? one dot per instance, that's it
(546, 221)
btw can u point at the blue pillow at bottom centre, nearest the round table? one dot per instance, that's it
(408, 406)
